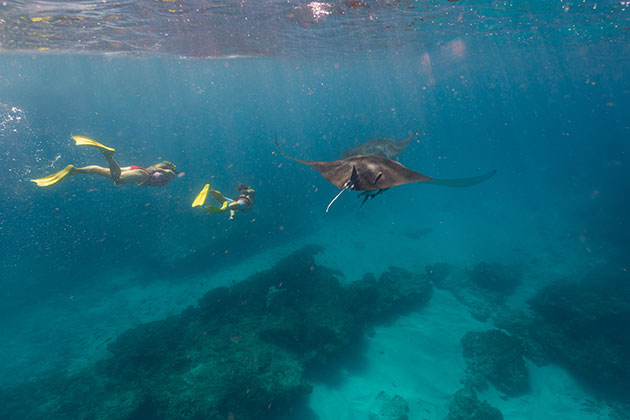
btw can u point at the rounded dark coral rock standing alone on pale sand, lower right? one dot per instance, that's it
(498, 358)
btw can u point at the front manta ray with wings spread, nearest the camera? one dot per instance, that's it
(376, 173)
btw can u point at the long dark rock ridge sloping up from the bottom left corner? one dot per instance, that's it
(243, 353)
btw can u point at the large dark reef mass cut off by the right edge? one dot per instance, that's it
(583, 326)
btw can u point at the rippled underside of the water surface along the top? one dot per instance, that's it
(198, 28)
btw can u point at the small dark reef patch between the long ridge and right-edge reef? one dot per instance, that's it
(482, 289)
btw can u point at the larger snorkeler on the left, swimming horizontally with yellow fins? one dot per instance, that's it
(156, 175)
